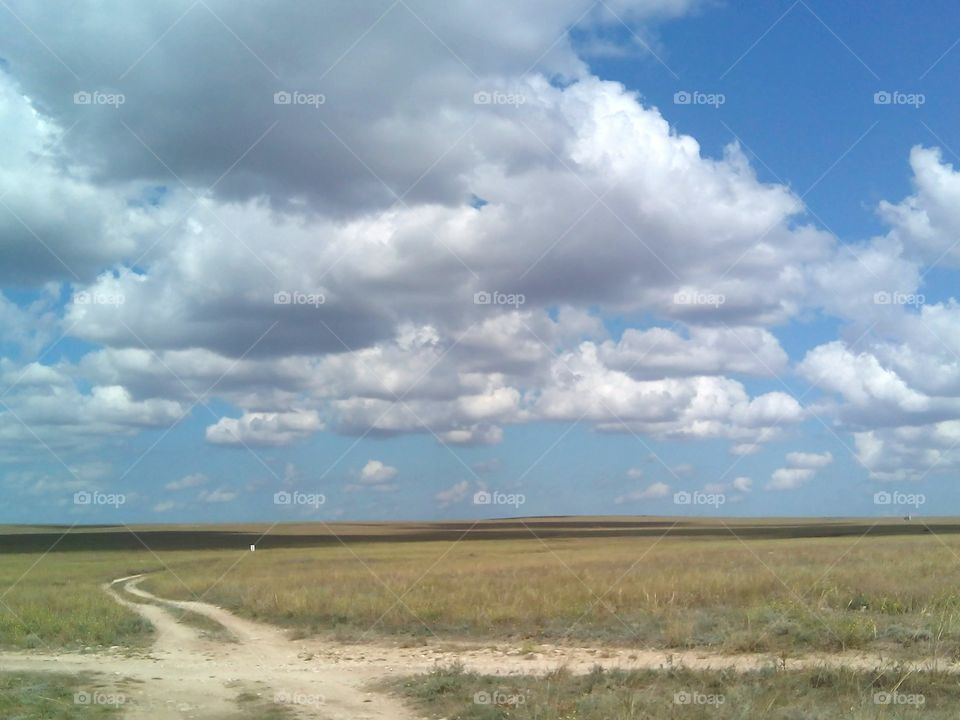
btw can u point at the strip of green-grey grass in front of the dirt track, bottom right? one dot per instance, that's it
(653, 695)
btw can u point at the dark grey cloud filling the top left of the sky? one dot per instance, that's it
(199, 79)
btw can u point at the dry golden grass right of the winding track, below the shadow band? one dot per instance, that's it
(890, 593)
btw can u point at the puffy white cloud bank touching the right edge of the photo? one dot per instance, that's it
(894, 377)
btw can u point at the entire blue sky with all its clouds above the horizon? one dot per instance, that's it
(412, 260)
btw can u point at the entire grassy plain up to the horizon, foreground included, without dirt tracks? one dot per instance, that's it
(784, 588)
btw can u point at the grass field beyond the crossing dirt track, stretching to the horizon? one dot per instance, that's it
(896, 594)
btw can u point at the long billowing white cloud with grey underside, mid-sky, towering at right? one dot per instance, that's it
(674, 225)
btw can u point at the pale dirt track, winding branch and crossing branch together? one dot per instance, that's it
(188, 674)
